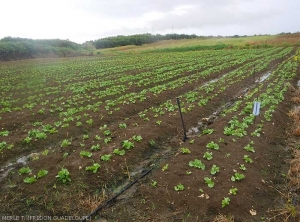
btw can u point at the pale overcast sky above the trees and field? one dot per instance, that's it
(83, 20)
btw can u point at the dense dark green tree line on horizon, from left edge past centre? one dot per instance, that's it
(23, 48)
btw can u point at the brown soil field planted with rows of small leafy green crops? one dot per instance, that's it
(74, 132)
